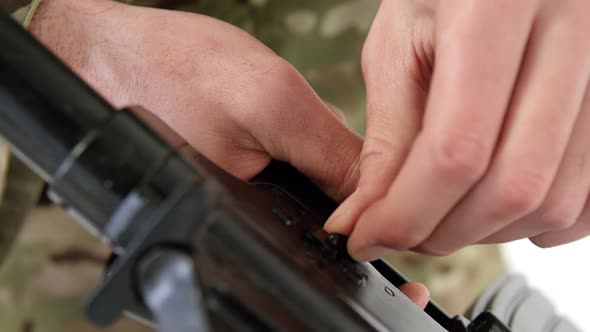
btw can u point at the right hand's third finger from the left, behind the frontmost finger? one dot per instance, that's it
(534, 141)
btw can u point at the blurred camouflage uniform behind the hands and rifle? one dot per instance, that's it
(54, 262)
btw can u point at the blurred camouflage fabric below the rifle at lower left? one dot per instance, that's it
(50, 270)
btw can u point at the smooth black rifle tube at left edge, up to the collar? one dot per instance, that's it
(46, 110)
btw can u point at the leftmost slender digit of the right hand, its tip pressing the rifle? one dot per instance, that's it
(395, 100)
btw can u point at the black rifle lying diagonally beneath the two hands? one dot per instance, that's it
(194, 249)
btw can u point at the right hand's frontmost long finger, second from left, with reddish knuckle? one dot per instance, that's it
(477, 62)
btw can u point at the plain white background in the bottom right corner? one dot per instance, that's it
(562, 273)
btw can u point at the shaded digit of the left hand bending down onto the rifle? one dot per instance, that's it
(301, 130)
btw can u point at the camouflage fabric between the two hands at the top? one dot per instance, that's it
(322, 39)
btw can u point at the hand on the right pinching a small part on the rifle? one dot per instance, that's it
(478, 123)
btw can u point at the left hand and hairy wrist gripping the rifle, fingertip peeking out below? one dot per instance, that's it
(227, 94)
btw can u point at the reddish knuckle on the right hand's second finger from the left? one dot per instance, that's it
(462, 156)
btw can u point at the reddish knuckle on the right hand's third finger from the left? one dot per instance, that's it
(521, 191)
